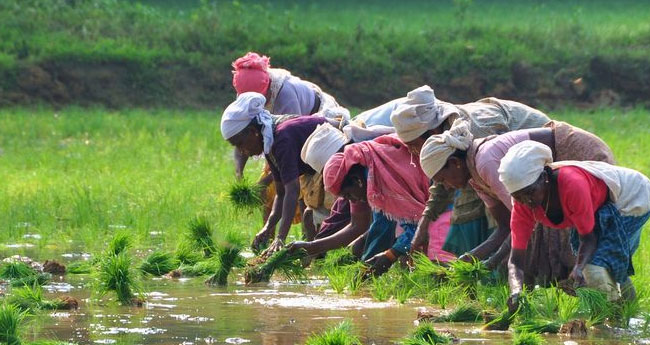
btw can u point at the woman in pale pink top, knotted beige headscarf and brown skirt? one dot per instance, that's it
(455, 160)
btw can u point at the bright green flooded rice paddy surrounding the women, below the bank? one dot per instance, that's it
(101, 190)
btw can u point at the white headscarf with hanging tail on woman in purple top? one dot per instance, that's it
(238, 115)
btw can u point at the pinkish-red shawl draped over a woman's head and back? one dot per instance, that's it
(395, 187)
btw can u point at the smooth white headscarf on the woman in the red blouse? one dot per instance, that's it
(523, 164)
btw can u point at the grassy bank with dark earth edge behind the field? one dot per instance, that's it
(123, 53)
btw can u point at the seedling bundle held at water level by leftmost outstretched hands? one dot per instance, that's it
(283, 261)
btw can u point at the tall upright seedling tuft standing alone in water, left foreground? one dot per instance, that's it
(115, 274)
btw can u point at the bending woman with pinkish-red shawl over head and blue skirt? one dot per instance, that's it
(381, 174)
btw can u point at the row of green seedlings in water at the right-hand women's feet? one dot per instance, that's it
(468, 292)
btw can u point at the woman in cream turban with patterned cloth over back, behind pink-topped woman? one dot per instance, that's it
(423, 115)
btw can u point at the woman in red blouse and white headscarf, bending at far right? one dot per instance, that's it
(606, 204)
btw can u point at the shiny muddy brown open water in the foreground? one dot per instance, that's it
(186, 311)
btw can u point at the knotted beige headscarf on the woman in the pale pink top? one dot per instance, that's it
(438, 148)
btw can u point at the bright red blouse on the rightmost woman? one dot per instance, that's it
(581, 195)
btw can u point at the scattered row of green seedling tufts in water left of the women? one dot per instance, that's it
(115, 272)
